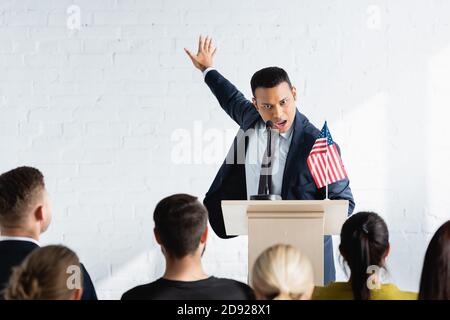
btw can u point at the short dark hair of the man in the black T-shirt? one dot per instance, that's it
(180, 221)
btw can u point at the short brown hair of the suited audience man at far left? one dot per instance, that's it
(18, 190)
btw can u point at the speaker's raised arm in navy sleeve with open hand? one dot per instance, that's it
(230, 98)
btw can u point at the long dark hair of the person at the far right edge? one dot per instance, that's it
(435, 279)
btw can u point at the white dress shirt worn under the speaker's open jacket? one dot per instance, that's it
(257, 144)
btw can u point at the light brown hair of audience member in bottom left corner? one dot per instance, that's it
(44, 275)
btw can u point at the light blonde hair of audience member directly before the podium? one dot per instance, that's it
(282, 272)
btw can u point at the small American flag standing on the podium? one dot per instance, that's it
(324, 151)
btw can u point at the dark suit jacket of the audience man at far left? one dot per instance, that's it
(13, 252)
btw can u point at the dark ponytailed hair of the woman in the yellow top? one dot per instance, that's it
(364, 242)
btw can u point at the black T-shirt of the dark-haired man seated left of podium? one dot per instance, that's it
(211, 288)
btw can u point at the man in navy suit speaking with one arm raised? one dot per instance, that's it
(245, 171)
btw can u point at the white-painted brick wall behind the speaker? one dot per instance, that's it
(95, 109)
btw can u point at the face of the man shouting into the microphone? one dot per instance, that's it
(276, 104)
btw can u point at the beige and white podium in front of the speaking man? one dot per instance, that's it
(301, 223)
